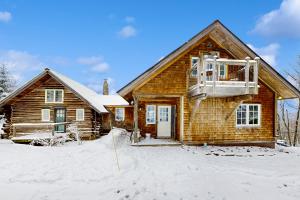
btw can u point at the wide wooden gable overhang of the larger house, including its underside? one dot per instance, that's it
(266, 72)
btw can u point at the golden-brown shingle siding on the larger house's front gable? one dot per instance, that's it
(173, 81)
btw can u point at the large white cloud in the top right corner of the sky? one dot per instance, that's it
(284, 21)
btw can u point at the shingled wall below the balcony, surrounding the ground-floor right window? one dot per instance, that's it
(211, 124)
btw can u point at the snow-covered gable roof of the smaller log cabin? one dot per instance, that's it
(96, 101)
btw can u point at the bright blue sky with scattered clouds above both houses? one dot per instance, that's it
(92, 40)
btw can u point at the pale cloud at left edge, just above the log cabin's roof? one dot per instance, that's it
(19, 63)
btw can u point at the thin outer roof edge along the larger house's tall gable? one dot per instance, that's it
(268, 66)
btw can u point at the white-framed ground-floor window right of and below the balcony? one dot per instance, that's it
(248, 115)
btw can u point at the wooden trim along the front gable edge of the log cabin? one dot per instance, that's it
(30, 82)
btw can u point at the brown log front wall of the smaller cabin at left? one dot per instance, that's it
(27, 109)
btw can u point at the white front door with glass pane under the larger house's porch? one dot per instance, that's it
(164, 121)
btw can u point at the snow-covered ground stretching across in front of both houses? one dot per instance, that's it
(90, 171)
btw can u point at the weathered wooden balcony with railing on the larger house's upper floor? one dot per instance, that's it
(219, 77)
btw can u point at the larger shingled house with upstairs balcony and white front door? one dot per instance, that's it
(213, 89)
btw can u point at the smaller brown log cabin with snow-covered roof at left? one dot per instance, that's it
(50, 101)
